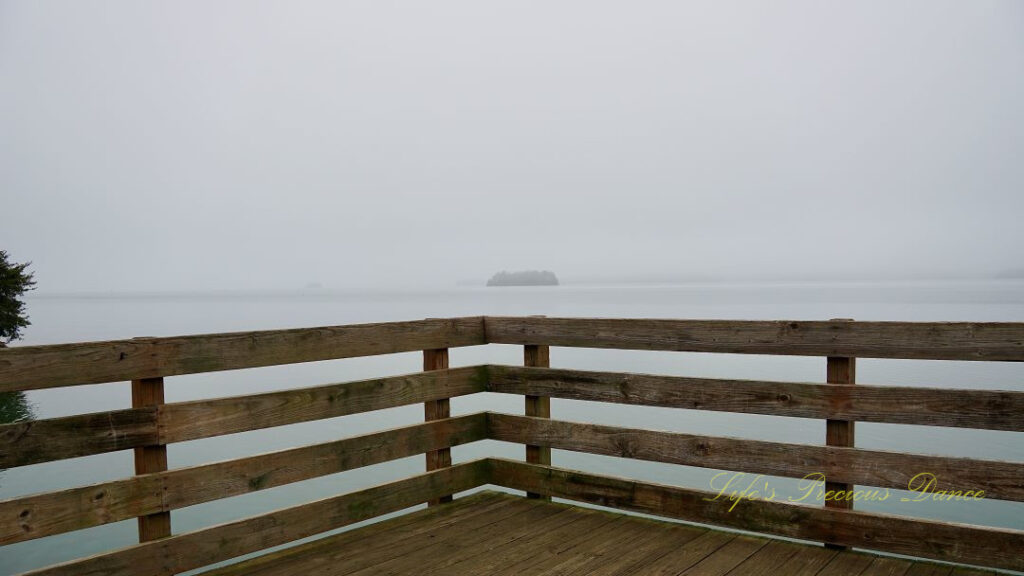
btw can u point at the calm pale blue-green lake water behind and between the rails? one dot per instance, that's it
(65, 319)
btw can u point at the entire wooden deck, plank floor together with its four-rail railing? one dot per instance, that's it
(501, 534)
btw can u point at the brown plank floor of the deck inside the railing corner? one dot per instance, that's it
(501, 534)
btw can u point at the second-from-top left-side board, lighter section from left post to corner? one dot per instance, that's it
(204, 419)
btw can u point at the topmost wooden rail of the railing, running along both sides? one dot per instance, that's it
(62, 365)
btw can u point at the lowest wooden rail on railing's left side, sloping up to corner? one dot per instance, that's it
(218, 544)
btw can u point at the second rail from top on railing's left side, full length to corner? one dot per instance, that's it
(55, 439)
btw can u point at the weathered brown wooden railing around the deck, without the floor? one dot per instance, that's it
(152, 425)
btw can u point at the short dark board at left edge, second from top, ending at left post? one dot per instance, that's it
(32, 442)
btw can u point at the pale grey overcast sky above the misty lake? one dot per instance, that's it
(268, 145)
